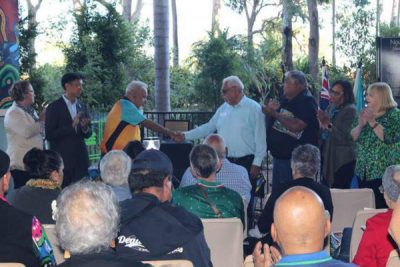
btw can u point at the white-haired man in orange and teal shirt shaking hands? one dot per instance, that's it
(124, 120)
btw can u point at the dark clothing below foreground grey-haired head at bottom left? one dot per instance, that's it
(102, 259)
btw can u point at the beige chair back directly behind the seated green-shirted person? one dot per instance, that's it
(225, 240)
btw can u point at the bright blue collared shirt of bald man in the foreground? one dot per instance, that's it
(317, 259)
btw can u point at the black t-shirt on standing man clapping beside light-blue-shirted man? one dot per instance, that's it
(281, 142)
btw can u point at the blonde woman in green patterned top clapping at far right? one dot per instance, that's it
(377, 137)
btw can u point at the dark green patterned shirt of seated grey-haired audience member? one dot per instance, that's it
(200, 198)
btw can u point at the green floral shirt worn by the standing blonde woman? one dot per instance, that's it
(373, 155)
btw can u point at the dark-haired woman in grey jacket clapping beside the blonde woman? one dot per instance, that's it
(338, 148)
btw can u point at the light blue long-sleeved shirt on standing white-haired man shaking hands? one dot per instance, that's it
(242, 126)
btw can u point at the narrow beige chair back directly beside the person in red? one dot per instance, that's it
(359, 227)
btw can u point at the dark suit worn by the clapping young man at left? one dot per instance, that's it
(67, 141)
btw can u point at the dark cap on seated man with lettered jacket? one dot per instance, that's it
(153, 159)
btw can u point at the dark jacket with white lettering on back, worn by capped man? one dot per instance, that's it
(151, 230)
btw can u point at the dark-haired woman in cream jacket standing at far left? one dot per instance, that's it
(23, 128)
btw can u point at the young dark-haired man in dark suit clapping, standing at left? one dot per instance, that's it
(67, 125)
